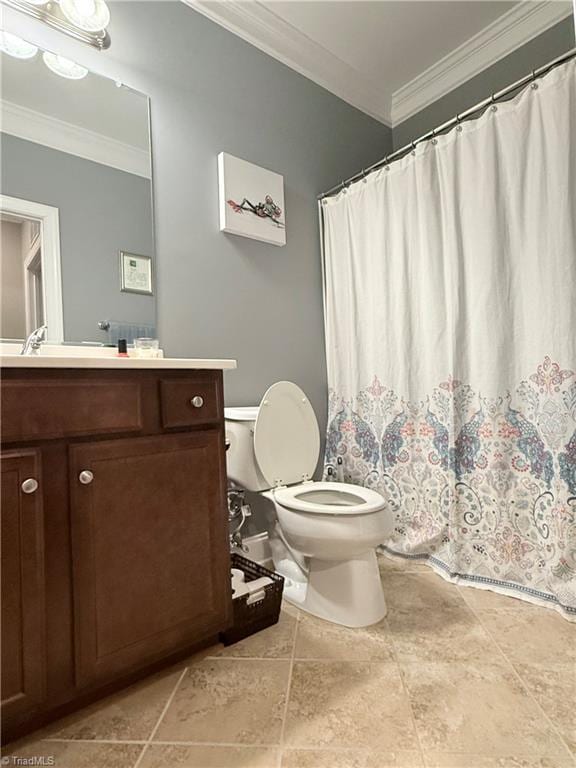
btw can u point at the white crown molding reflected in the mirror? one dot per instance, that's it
(65, 137)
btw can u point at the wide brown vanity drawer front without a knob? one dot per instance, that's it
(43, 409)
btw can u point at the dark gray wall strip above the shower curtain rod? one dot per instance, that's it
(534, 54)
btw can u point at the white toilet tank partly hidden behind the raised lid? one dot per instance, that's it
(241, 463)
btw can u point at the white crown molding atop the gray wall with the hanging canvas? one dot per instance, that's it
(257, 24)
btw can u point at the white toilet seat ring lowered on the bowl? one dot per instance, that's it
(326, 498)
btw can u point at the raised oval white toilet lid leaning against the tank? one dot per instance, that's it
(286, 435)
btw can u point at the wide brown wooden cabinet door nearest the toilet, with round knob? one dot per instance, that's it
(149, 548)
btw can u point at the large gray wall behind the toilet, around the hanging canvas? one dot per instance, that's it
(221, 295)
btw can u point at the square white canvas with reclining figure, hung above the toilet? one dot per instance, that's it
(251, 200)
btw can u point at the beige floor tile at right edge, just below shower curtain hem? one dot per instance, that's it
(534, 636)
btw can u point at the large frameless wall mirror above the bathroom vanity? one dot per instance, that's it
(77, 237)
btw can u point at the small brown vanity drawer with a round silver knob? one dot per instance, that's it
(186, 402)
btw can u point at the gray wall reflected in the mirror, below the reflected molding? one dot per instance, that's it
(101, 210)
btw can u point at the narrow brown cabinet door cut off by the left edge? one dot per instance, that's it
(23, 634)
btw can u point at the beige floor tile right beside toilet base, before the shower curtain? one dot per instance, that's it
(420, 591)
